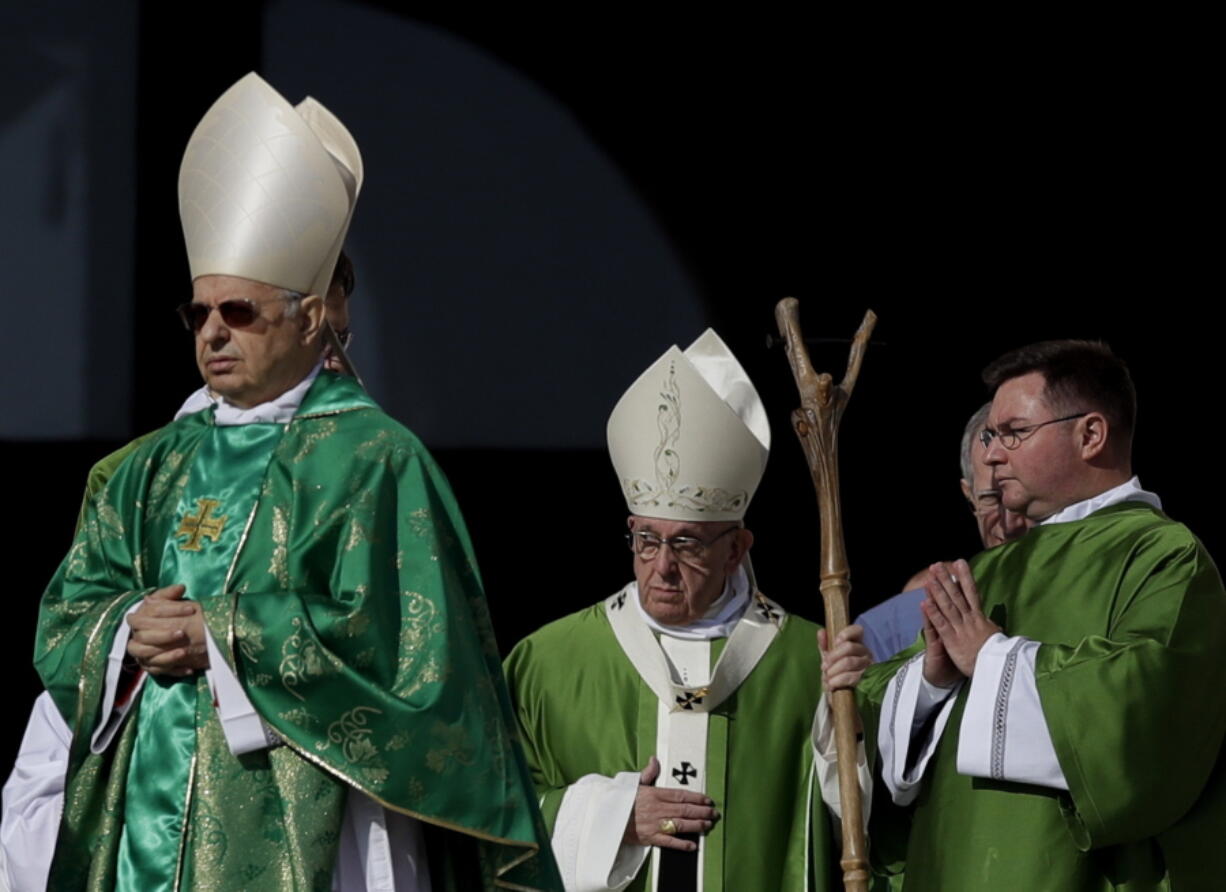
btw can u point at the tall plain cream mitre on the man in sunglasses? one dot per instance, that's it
(267, 191)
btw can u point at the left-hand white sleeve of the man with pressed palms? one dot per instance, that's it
(902, 736)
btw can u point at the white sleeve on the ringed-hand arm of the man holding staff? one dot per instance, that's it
(588, 834)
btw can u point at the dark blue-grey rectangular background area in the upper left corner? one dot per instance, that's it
(67, 211)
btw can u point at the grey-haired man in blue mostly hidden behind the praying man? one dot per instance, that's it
(894, 624)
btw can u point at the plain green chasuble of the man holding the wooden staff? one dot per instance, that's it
(585, 710)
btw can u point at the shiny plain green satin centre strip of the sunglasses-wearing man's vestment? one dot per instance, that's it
(166, 741)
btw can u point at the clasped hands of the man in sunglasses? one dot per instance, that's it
(169, 634)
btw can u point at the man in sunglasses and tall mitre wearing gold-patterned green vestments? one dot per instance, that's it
(270, 638)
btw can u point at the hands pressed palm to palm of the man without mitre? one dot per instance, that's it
(954, 626)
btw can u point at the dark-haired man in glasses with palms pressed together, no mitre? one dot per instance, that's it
(1064, 727)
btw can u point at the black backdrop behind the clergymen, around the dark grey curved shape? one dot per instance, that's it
(980, 184)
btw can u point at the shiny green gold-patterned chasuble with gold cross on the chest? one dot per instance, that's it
(339, 583)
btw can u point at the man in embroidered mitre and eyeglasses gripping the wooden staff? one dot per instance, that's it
(671, 727)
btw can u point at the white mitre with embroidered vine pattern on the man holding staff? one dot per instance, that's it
(690, 440)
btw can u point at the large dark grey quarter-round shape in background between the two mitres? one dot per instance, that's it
(511, 282)
